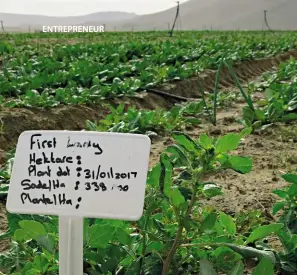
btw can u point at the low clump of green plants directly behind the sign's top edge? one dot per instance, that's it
(132, 120)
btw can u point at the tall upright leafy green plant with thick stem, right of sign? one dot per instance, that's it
(198, 159)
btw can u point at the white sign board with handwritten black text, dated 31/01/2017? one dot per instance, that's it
(82, 174)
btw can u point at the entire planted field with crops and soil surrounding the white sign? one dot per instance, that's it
(228, 102)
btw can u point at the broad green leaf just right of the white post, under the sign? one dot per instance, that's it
(100, 235)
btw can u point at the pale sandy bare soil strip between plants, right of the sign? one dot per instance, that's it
(273, 152)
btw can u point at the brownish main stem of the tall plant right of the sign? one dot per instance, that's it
(178, 235)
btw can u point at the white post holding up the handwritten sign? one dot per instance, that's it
(70, 245)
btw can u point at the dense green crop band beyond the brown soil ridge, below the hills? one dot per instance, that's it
(46, 75)
